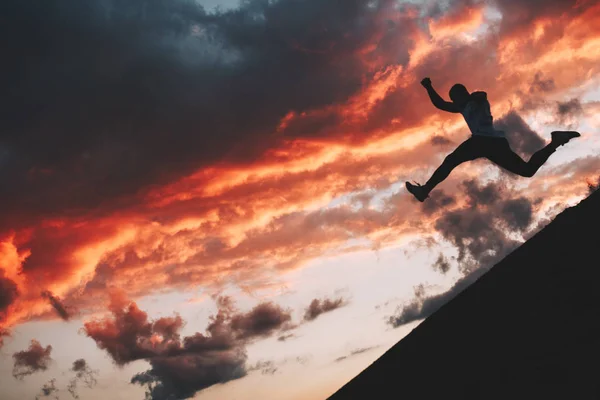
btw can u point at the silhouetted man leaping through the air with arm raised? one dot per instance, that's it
(485, 141)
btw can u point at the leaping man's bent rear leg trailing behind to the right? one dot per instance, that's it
(504, 157)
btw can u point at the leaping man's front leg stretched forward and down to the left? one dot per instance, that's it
(467, 151)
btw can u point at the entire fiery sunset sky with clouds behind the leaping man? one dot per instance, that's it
(205, 200)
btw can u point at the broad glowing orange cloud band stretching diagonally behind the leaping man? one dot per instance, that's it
(237, 220)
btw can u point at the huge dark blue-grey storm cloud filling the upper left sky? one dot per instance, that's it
(102, 98)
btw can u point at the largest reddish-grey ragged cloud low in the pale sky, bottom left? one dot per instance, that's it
(180, 366)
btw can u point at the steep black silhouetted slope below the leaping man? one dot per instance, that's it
(527, 329)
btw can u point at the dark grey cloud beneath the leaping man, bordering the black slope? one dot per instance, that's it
(480, 232)
